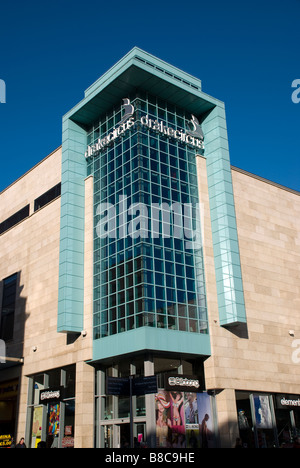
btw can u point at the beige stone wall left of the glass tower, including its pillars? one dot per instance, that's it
(32, 249)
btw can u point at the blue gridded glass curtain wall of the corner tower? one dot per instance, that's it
(146, 273)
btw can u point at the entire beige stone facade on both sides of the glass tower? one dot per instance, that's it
(256, 356)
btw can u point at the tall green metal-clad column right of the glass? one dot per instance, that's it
(223, 221)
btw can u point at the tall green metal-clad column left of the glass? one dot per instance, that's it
(71, 261)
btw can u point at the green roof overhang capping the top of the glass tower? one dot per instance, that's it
(140, 70)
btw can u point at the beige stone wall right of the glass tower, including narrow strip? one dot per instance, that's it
(258, 357)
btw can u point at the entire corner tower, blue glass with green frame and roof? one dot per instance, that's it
(136, 135)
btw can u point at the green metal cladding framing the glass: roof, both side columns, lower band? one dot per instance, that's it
(139, 68)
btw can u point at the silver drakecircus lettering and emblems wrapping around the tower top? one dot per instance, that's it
(193, 137)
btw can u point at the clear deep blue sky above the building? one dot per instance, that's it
(245, 52)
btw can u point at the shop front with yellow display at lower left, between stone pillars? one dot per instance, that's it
(51, 409)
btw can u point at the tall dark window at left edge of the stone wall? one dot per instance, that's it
(8, 308)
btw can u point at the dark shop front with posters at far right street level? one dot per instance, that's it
(268, 420)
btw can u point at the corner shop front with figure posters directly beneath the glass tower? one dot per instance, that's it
(178, 415)
